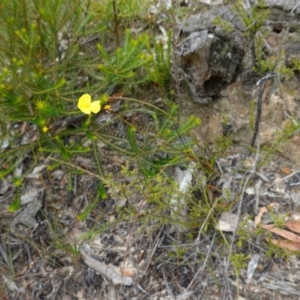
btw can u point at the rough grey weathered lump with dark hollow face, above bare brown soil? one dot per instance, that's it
(210, 58)
